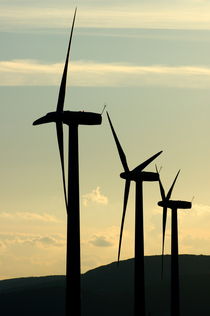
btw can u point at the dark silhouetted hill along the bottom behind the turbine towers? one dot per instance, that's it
(108, 290)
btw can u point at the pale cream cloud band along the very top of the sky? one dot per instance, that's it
(103, 14)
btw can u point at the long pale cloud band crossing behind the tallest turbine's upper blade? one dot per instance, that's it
(91, 74)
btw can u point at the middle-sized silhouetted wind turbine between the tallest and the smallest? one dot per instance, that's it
(138, 176)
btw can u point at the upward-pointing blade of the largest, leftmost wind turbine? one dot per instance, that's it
(62, 91)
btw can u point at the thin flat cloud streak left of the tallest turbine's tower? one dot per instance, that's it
(29, 216)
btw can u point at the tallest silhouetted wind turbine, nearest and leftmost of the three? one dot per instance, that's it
(73, 119)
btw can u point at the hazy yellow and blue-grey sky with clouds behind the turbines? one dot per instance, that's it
(148, 61)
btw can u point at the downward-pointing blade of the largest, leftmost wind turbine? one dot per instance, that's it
(59, 130)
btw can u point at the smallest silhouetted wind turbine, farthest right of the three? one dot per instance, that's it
(174, 205)
